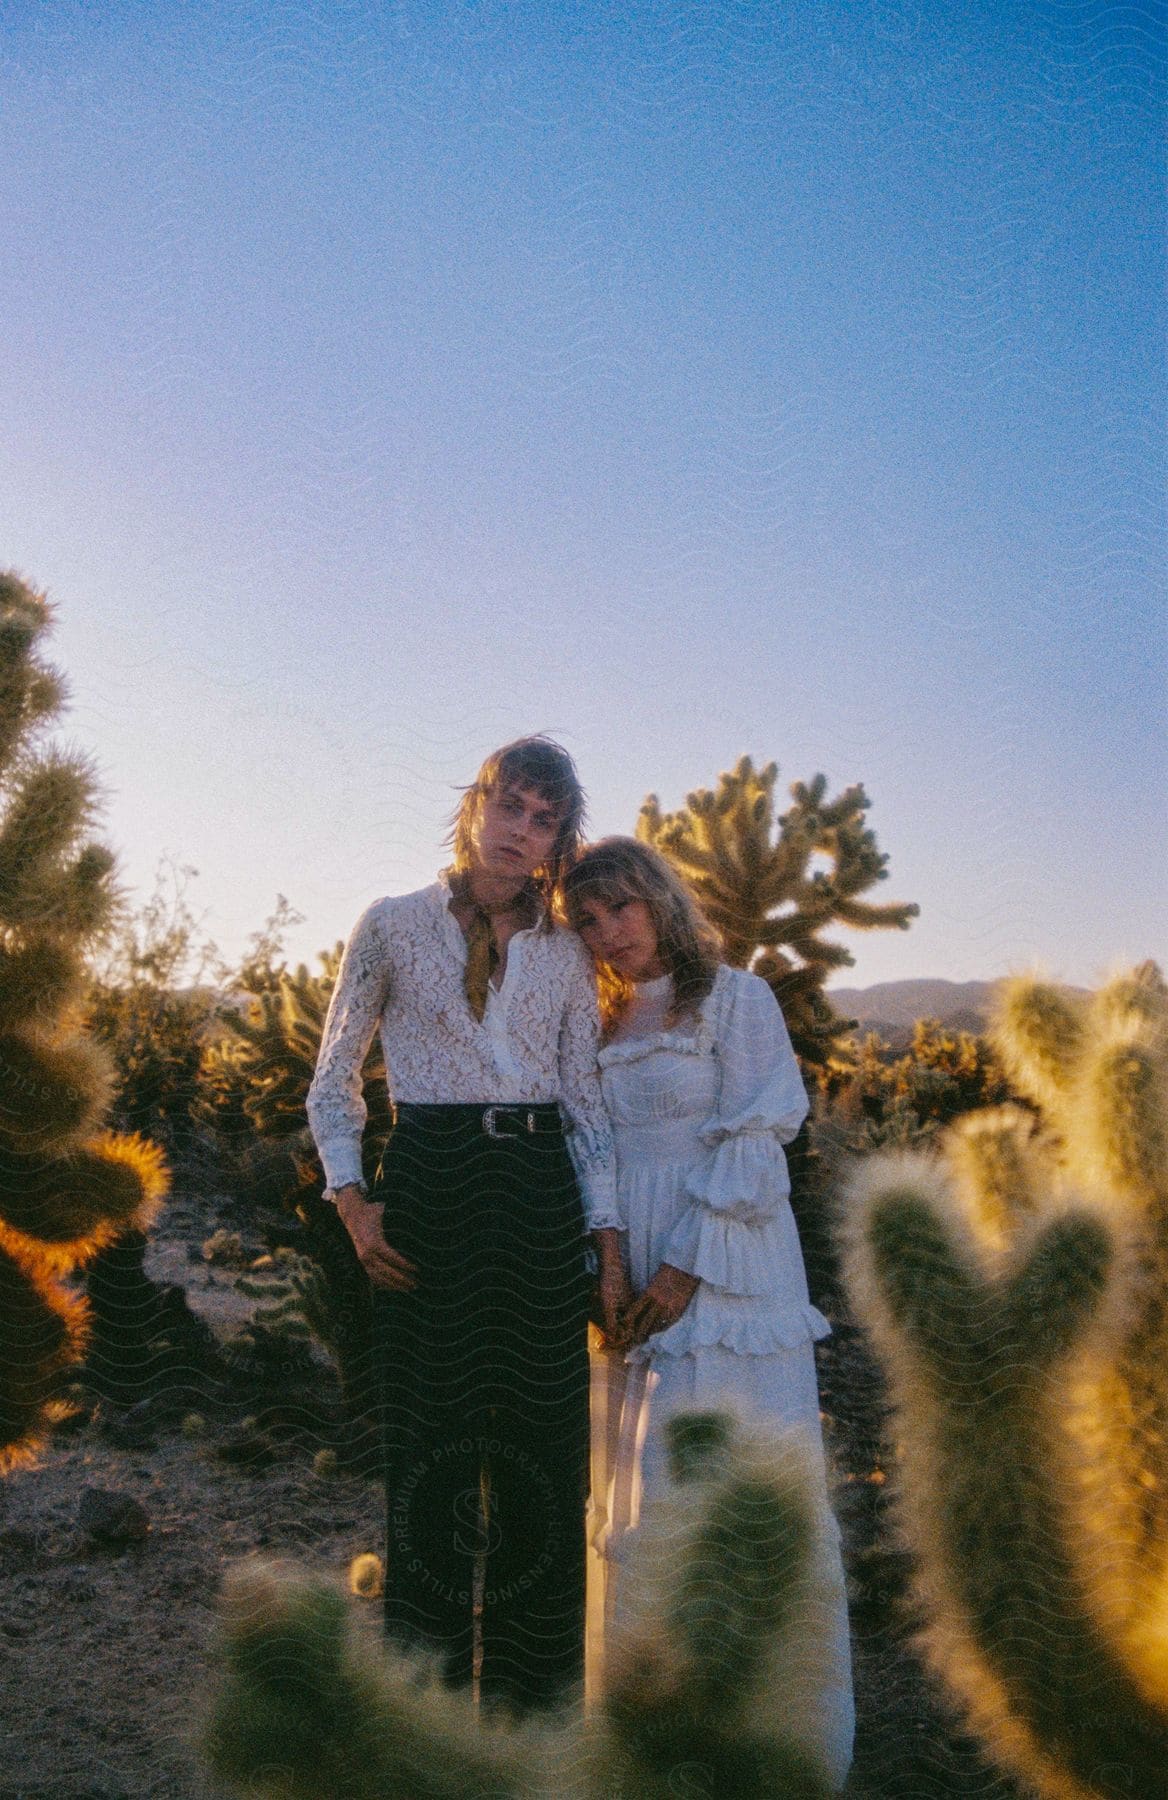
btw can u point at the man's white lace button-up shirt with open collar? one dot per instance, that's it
(402, 976)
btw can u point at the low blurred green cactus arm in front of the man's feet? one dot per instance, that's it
(309, 1709)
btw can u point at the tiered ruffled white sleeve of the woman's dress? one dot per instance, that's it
(741, 1185)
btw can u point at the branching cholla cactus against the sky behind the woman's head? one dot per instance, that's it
(764, 895)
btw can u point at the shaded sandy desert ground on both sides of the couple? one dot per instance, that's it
(107, 1653)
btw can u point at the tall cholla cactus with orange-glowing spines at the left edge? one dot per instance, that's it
(66, 1187)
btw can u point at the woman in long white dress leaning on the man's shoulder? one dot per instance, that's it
(703, 1290)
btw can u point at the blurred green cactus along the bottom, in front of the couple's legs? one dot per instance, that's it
(712, 1687)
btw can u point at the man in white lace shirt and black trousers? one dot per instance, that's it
(474, 1236)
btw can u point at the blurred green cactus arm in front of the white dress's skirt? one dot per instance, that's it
(724, 1617)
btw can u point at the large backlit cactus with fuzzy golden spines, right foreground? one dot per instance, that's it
(1018, 1293)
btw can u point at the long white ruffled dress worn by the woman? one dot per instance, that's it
(701, 1113)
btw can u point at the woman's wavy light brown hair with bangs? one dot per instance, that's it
(622, 868)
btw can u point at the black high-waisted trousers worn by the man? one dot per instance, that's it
(485, 1401)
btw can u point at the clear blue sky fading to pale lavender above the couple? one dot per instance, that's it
(384, 381)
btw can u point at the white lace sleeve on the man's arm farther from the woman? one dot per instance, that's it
(336, 1102)
